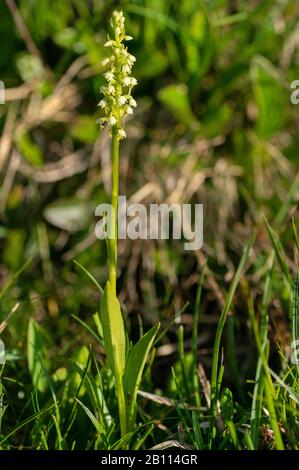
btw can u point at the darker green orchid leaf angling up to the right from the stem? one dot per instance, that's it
(136, 362)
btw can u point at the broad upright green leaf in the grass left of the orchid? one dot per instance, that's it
(37, 342)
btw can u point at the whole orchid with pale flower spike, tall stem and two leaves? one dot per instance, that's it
(126, 361)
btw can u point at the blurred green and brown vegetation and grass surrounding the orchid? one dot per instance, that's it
(215, 125)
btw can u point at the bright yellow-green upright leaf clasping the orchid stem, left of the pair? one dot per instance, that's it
(113, 332)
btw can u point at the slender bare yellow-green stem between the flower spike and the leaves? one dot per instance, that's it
(112, 241)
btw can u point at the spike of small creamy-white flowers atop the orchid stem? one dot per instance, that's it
(117, 102)
